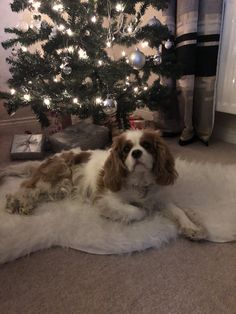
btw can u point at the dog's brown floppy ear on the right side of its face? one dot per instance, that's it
(164, 165)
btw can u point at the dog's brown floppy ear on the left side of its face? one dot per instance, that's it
(114, 168)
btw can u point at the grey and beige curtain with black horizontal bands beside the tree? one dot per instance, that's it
(196, 24)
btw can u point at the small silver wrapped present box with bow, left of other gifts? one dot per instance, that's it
(27, 146)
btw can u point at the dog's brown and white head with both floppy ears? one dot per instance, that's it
(139, 151)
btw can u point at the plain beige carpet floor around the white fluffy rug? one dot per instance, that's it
(181, 278)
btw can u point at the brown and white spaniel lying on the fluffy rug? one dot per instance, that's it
(125, 183)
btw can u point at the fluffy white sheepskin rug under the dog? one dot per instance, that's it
(207, 189)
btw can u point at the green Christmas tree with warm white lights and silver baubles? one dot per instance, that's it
(73, 71)
